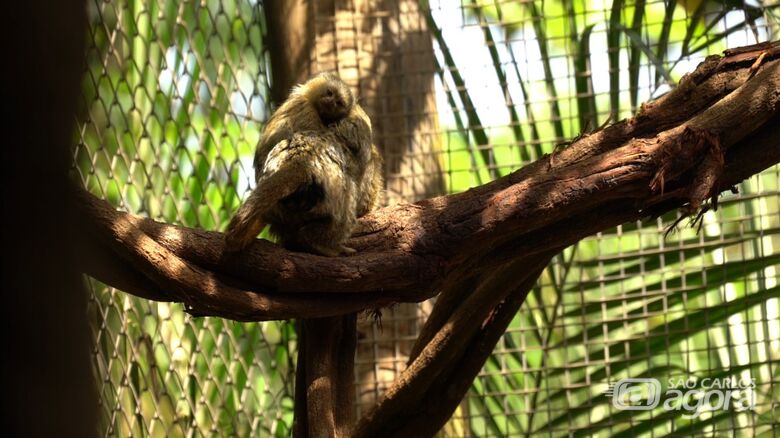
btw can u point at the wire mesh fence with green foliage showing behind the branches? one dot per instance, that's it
(175, 95)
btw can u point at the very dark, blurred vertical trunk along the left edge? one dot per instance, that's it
(48, 388)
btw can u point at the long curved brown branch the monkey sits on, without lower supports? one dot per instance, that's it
(718, 127)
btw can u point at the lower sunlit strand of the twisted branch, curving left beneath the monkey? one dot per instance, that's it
(203, 291)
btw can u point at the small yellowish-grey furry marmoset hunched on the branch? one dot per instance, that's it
(317, 170)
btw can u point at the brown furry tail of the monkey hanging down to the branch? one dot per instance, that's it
(247, 223)
